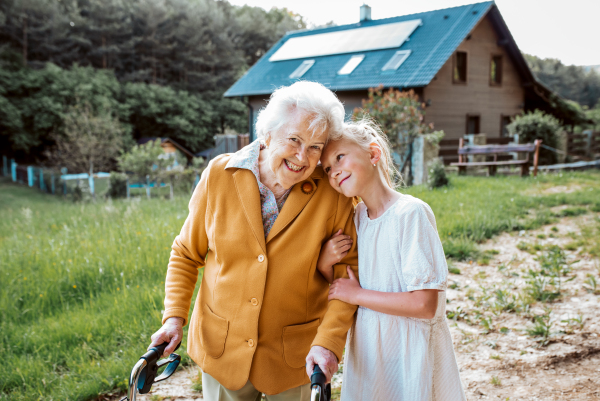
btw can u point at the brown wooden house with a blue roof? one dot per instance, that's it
(462, 62)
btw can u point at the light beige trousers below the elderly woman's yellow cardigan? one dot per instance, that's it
(212, 390)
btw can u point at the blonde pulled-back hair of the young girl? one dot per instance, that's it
(364, 132)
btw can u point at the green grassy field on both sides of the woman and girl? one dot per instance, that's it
(82, 283)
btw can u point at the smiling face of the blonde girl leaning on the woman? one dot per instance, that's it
(349, 167)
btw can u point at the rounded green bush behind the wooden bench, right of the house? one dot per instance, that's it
(537, 125)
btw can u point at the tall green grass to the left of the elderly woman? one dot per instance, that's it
(82, 290)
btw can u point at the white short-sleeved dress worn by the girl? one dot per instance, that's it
(393, 357)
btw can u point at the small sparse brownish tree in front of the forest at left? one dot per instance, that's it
(88, 142)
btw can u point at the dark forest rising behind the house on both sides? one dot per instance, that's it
(157, 67)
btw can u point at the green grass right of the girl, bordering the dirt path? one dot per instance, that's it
(473, 209)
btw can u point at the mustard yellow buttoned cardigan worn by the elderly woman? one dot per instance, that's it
(262, 303)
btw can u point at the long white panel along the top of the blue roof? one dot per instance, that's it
(385, 36)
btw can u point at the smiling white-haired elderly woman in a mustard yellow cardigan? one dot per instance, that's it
(256, 223)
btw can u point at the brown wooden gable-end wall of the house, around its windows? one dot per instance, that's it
(450, 103)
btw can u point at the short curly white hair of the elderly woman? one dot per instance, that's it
(325, 111)
